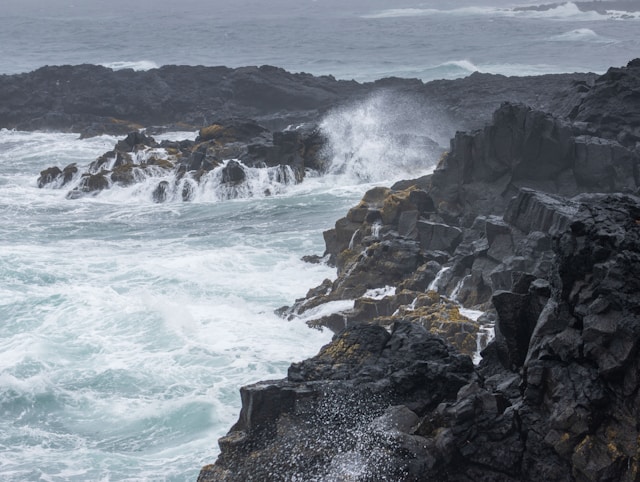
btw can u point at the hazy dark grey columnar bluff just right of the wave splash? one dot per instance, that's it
(527, 148)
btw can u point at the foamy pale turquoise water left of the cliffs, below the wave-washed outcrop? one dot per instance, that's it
(129, 327)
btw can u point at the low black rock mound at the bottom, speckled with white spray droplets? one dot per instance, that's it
(333, 412)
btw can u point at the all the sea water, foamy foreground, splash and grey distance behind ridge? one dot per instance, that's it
(127, 327)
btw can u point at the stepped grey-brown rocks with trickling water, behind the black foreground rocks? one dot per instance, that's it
(484, 218)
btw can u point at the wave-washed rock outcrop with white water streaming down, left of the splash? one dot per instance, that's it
(225, 157)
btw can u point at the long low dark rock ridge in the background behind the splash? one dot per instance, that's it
(92, 100)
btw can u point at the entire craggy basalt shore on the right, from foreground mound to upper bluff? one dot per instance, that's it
(534, 220)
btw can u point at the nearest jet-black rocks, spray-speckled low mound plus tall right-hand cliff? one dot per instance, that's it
(556, 397)
